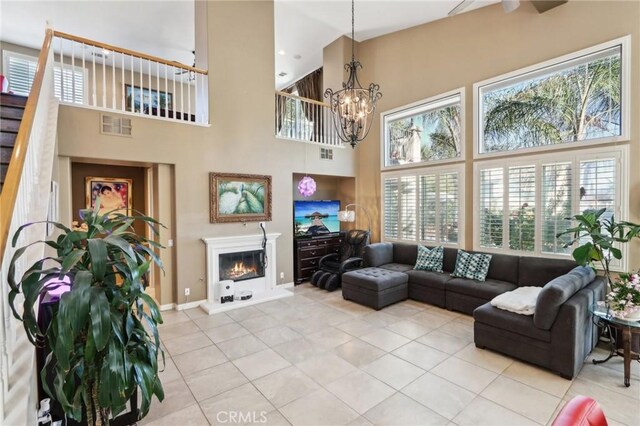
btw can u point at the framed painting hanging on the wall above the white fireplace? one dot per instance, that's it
(239, 198)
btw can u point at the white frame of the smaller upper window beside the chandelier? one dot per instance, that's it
(414, 108)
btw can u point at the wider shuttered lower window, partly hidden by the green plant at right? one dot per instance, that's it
(526, 203)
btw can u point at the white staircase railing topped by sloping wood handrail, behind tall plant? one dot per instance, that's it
(25, 199)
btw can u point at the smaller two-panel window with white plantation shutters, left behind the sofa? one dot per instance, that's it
(425, 205)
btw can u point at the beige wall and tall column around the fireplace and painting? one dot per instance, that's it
(240, 140)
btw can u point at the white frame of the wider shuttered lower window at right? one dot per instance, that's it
(620, 153)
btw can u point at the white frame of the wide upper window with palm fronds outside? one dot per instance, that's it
(546, 67)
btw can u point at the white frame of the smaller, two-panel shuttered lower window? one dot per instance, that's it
(417, 172)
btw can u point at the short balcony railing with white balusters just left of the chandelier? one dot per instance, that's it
(304, 120)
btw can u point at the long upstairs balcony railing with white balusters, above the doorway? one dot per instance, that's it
(99, 75)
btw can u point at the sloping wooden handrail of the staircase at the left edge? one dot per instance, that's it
(9, 193)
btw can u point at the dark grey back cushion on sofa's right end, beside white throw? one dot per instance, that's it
(558, 291)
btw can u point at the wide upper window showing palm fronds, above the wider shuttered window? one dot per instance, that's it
(573, 99)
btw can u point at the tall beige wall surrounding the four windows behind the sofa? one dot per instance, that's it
(434, 58)
